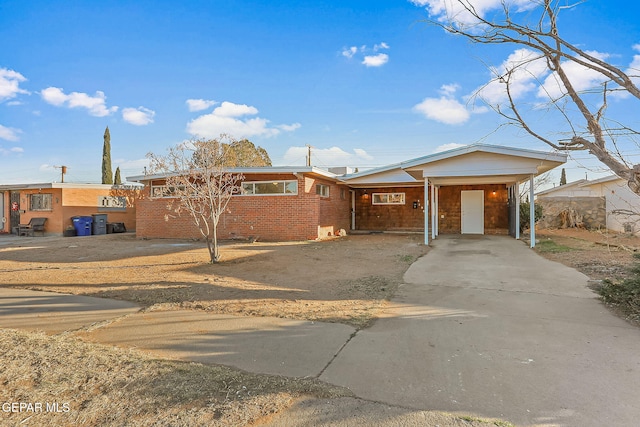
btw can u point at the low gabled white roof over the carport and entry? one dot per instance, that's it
(473, 164)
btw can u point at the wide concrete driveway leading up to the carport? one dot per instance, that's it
(485, 326)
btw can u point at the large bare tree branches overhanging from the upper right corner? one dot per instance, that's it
(533, 27)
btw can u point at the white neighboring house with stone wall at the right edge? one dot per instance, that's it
(602, 203)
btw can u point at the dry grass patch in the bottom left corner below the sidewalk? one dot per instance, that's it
(108, 386)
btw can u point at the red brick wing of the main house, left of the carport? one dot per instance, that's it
(276, 203)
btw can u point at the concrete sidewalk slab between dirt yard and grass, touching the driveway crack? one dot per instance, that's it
(256, 344)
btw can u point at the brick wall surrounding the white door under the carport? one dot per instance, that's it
(496, 211)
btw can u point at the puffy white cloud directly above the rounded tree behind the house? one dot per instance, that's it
(229, 118)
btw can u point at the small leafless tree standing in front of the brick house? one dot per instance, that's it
(198, 184)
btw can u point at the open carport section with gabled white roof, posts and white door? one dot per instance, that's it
(468, 190)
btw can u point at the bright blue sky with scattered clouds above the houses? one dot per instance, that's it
(366, 83)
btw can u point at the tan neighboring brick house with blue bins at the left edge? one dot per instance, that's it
(59, 202)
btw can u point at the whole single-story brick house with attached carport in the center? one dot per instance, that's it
(469, 190)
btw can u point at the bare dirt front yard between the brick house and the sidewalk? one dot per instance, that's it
(343, 280)
